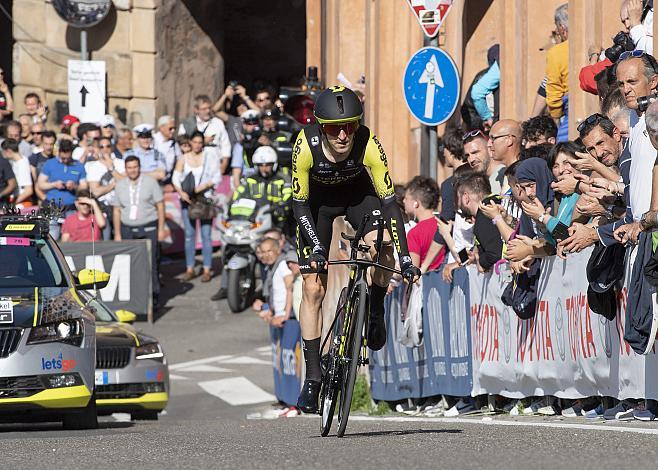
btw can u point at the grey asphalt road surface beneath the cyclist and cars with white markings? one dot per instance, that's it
(219, 360)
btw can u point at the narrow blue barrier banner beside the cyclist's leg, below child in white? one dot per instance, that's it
(287, 361)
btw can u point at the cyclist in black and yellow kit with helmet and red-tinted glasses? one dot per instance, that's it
(330, 165)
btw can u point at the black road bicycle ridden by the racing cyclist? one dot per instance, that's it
(347, 335)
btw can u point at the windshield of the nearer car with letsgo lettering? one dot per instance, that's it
(28, 262)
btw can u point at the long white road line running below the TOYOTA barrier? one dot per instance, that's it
(610, 426)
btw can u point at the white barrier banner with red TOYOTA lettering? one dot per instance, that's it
(566, 350)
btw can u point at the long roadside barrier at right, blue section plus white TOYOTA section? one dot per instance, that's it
(566, 350)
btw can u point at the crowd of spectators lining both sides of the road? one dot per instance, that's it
(519, 191)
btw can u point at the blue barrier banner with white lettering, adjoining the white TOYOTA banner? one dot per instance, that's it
(442, 364)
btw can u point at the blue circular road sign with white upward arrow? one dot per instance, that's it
(431, 86)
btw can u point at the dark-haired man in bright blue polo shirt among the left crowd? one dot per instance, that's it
(60, 179)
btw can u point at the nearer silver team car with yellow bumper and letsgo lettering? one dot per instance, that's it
(47, 333)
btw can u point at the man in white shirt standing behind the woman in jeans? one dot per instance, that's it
(213, 129)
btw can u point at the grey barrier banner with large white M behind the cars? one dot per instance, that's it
(129, 264)
